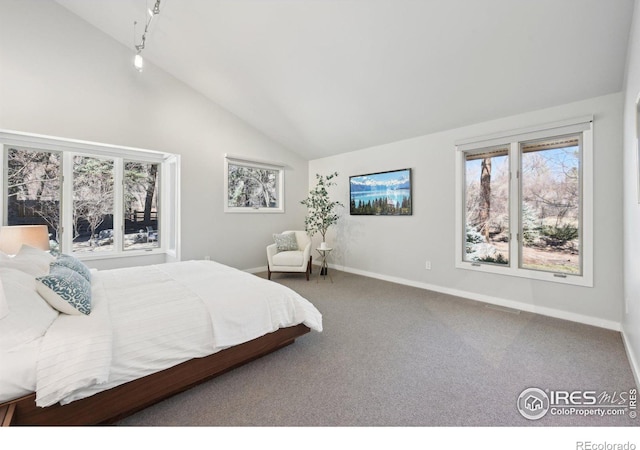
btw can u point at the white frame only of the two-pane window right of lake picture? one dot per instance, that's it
(513, 137)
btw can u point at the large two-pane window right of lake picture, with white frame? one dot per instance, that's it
(525, 202)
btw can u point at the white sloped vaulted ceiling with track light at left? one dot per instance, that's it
(329, 76)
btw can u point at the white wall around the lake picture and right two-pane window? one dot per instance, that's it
(397, 248)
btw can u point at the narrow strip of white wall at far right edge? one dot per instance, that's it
(631, 322)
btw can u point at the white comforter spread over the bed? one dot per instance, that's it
(149, 318)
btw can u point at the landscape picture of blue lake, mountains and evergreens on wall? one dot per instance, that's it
(381, 194)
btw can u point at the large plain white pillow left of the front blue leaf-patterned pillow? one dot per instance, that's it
(29, 315)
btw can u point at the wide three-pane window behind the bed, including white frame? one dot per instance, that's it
(97, 200)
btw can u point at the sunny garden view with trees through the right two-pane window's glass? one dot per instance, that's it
(549, 210)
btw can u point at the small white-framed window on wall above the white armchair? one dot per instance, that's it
(253, 186)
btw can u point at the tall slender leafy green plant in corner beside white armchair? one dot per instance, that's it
(321, 211)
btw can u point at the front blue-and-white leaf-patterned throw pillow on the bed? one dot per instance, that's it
(65, 290)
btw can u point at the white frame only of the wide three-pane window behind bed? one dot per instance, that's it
(170, 168)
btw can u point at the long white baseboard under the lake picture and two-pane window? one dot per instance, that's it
(556, 313)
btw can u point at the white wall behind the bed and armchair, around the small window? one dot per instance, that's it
(59, 76)
